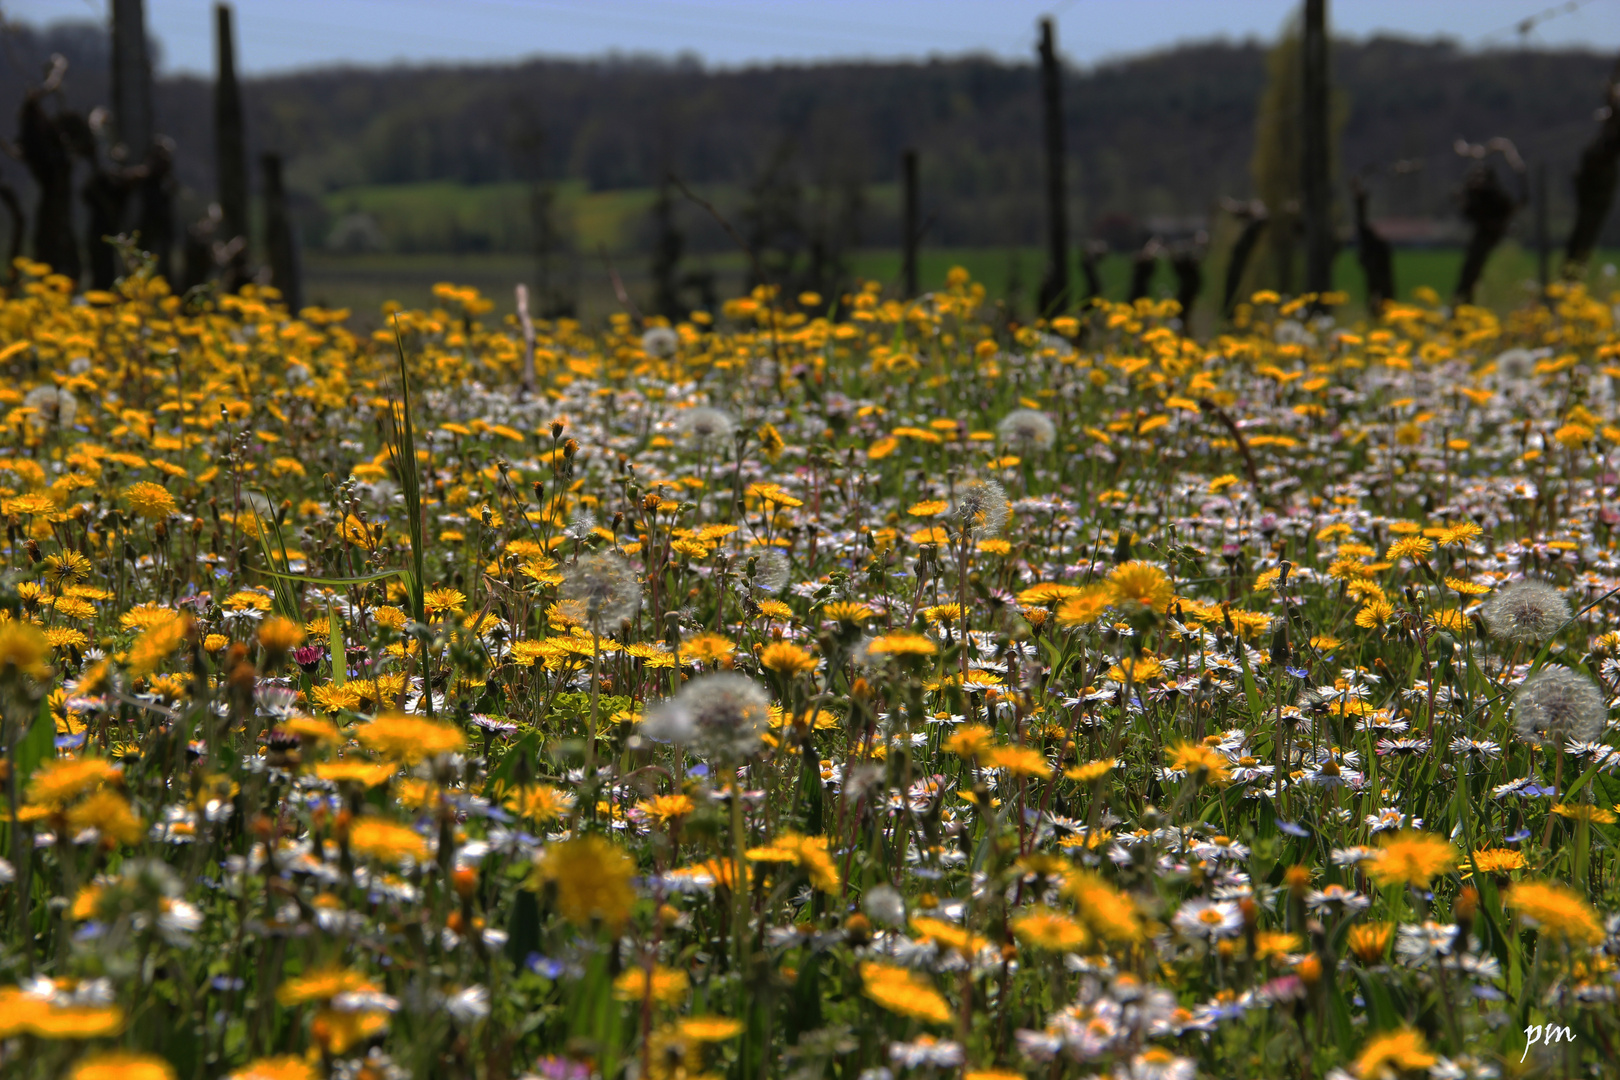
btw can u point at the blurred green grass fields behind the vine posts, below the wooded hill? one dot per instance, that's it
(487, 227)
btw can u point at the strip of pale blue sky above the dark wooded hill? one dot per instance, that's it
(281, 35)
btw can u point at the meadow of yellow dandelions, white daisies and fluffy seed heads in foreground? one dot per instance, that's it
(837, 687)
